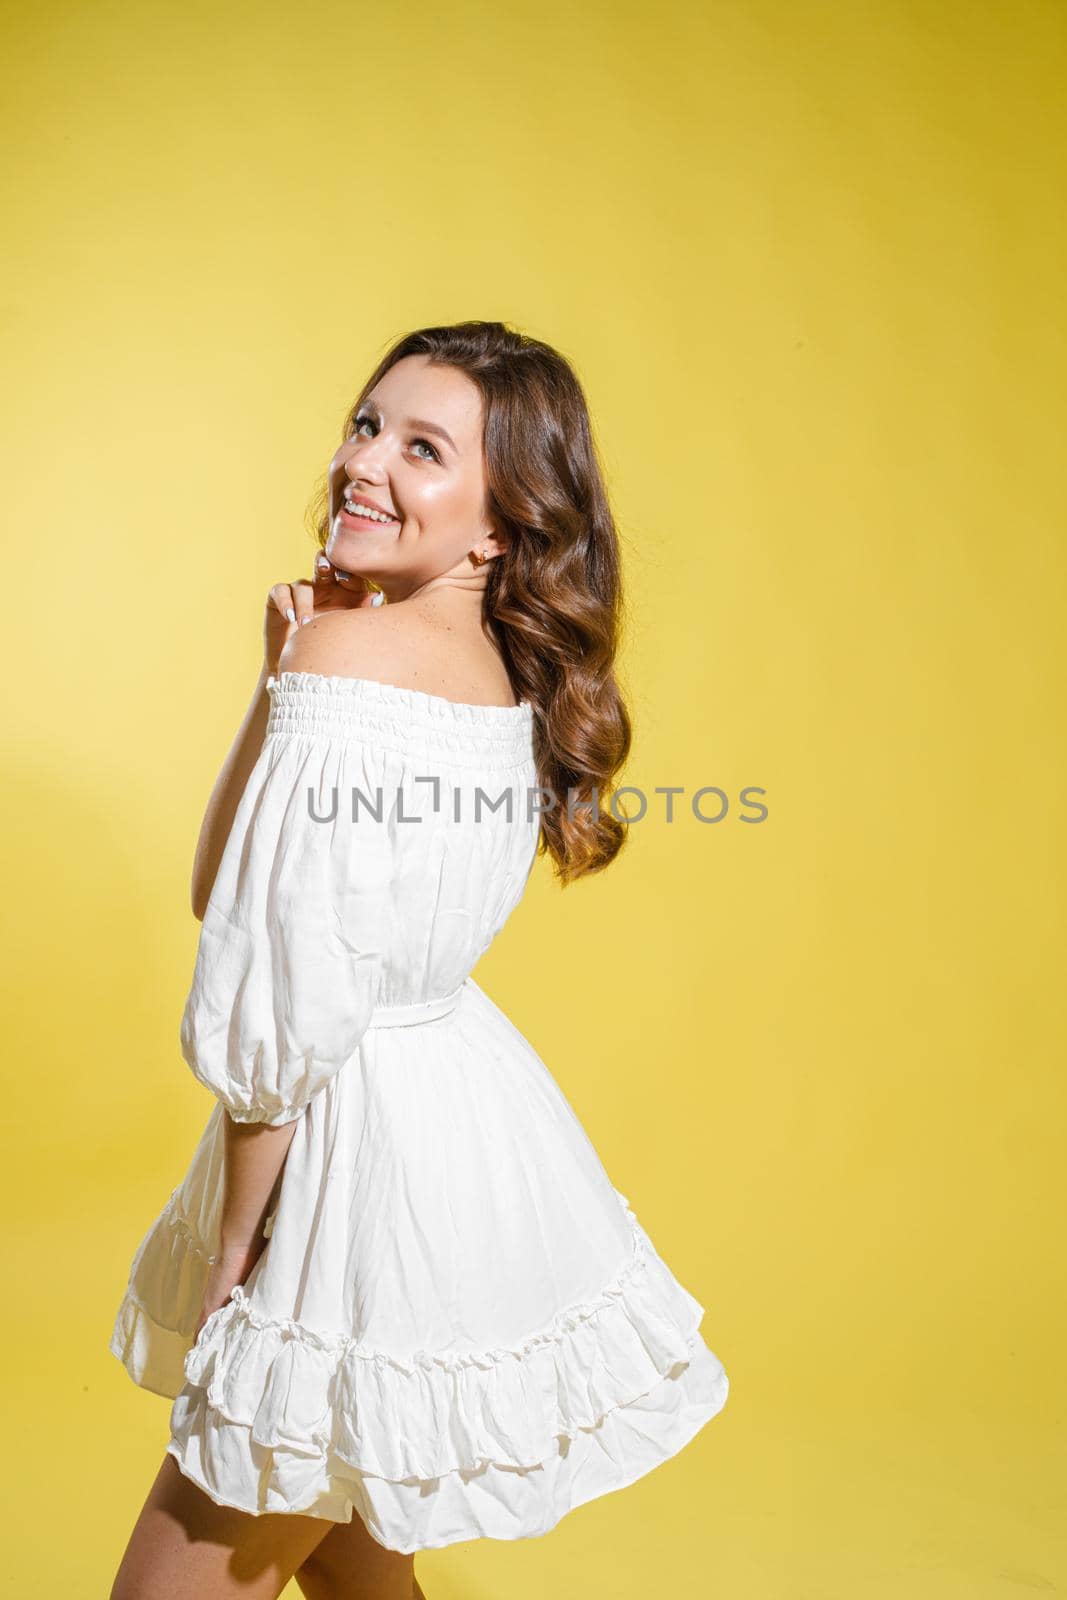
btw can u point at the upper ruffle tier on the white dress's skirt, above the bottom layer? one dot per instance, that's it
(431, 1414)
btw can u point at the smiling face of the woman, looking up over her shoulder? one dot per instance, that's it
(417, 454)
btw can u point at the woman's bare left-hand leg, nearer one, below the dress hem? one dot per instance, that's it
(186, 1548)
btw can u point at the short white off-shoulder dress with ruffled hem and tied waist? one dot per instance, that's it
(458, 1327)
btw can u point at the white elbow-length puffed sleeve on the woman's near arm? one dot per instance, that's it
(292, 943)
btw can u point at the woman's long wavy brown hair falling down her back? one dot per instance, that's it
(553, 601)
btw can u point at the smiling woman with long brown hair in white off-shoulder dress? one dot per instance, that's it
(398, 1300)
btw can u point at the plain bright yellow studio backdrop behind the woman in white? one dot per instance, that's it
(809, 262)
